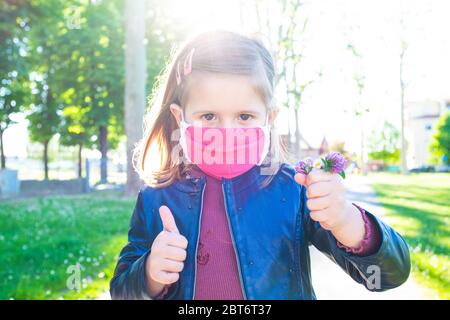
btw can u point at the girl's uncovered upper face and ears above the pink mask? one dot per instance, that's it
(223, 101)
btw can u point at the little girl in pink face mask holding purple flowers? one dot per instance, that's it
(224, 216)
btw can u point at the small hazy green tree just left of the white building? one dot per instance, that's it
(384, 144)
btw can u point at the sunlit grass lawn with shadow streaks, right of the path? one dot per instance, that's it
(418, 206)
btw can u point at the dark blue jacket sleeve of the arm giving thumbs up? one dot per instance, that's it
(129, 281)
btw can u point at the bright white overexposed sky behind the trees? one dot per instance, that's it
(375, 30)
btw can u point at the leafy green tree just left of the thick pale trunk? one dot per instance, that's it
(82, 58)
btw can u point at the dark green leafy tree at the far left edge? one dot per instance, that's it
(27, 73)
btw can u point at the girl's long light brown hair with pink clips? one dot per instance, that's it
(215, 52)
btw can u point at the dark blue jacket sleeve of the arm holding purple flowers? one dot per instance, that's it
(385, 269)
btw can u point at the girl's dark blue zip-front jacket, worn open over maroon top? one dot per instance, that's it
(271, 230)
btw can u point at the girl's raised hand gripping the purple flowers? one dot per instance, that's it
(328, 205)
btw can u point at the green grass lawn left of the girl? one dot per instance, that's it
(40, 238)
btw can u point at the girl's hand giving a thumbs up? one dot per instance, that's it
(168, 252)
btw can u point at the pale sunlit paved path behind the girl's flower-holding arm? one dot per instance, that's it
(331, 282)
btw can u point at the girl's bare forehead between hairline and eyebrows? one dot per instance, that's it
(223, 93)
